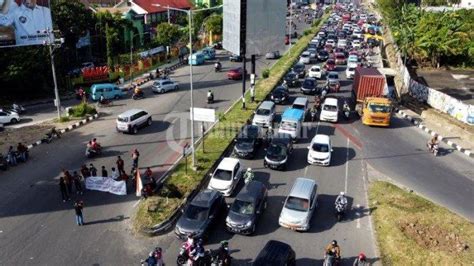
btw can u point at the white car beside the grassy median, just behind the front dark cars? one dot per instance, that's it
(226, 176)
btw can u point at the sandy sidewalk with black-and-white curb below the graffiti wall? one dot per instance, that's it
(452, 132)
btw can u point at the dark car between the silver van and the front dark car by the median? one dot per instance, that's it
(247, 208)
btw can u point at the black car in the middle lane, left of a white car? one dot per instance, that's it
(278, 151)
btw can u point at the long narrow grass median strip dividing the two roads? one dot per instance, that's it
(220, 137)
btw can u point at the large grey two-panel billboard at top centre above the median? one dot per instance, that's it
(265, 26)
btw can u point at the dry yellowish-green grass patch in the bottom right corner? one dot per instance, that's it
(412, 229)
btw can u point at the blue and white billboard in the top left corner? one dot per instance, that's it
(24, 22)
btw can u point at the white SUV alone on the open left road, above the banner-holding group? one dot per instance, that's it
(131, 120)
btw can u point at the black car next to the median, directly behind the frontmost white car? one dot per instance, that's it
(247, 142)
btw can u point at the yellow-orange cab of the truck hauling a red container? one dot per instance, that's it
(377, 111)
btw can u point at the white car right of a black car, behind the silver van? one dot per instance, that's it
(319, 151)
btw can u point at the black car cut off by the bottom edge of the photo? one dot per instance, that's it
(276, 253)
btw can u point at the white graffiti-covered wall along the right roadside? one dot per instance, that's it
(443, 102)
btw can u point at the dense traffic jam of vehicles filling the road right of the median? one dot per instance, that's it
(288, 170)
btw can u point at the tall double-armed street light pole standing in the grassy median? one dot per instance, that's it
(190, 18)
